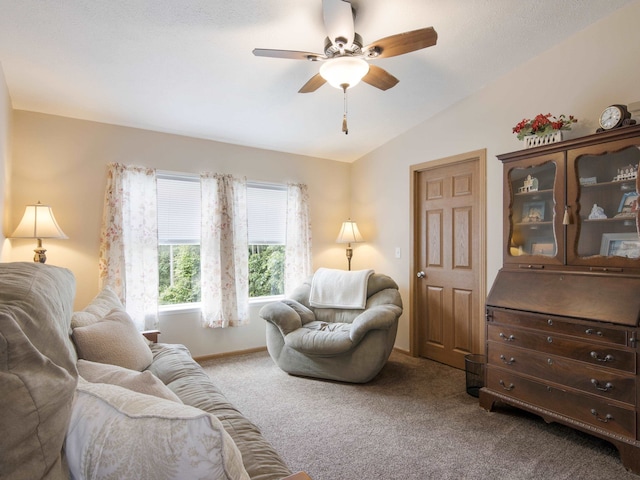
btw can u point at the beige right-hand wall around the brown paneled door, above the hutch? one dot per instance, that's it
(580, 76)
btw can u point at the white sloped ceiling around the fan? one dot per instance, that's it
(186, 67)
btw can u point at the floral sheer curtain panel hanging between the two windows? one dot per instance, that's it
(224, 251)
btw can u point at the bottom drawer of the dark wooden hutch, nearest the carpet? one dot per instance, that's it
(585, 408)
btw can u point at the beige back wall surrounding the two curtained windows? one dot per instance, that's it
(62, 162)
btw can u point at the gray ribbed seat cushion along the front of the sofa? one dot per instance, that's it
(175, 367)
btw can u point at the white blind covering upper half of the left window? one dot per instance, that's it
(178, 210)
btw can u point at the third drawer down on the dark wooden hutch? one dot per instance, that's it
(588, 378)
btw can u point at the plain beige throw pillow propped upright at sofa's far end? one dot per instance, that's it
(114, 340)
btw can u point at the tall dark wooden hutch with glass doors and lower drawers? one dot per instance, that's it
(563, 315)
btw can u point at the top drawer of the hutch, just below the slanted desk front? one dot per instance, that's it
(549, 323)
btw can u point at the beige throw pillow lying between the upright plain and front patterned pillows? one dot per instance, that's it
(141, 382)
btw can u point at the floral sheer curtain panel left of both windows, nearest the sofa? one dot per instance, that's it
(128, 257)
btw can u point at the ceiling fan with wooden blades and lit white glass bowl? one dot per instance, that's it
(345, 60)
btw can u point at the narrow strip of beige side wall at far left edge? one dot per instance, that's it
(5, 138)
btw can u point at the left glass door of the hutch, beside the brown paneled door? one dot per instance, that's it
(534, 233)
